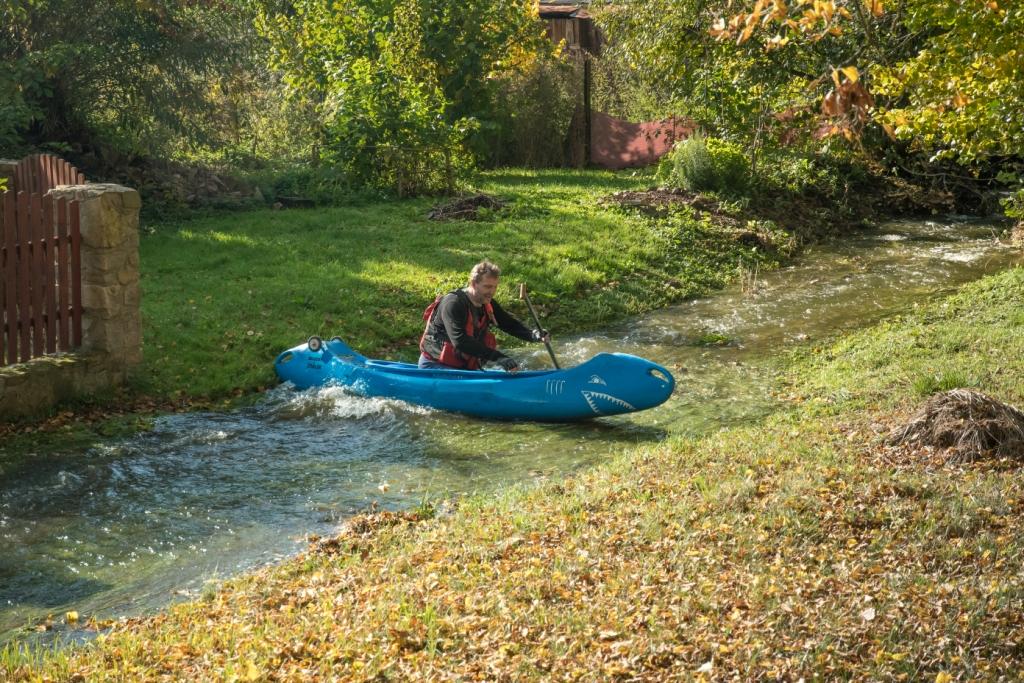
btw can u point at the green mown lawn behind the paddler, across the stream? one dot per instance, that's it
(223, 295)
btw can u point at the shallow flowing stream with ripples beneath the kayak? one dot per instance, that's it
(133, 525)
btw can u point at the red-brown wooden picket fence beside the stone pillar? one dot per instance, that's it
(40, 263)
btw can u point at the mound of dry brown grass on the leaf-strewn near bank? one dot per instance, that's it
(972, 425)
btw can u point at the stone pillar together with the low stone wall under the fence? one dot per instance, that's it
(112, 337)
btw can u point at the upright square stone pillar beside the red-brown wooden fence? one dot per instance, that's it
(111, 322)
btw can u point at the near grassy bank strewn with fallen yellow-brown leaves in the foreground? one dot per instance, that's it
(800, 548)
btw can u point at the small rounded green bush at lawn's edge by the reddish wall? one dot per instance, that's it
(700, 164)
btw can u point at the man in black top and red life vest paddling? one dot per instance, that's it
(458, 332)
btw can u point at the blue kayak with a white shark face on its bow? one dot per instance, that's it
(608, 385)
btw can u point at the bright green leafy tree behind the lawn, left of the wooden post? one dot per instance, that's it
(399, 88)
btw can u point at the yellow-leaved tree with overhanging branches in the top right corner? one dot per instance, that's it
(949, 75)
